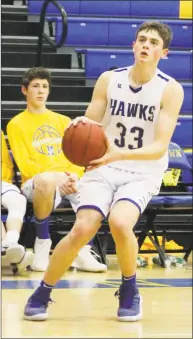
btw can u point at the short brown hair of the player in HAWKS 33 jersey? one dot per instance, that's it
(163, 30)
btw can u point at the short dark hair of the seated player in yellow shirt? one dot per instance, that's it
(36, 73)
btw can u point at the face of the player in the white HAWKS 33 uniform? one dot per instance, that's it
(148, 47)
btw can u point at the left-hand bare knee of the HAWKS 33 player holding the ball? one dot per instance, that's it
(86, 225)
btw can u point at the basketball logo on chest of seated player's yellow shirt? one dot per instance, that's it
(47, 140)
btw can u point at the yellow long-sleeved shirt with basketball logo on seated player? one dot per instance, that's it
(35, 140)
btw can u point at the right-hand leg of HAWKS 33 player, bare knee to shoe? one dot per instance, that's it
(122, 219)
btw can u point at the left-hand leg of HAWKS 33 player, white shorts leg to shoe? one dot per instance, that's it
(92, 208)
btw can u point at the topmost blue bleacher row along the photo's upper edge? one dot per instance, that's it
(131, 8)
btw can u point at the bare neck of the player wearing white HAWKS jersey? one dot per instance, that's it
(140, 75)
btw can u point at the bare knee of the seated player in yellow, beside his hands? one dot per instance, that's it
(45, 184)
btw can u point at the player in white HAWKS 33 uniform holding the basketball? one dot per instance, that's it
(138, 107)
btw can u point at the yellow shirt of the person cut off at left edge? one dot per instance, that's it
(6, 162)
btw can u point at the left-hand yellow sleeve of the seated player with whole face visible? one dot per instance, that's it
(27, 167)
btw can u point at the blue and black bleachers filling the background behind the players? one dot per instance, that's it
(100, 35)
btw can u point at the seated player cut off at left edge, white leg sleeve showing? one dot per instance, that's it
(15, 203)
